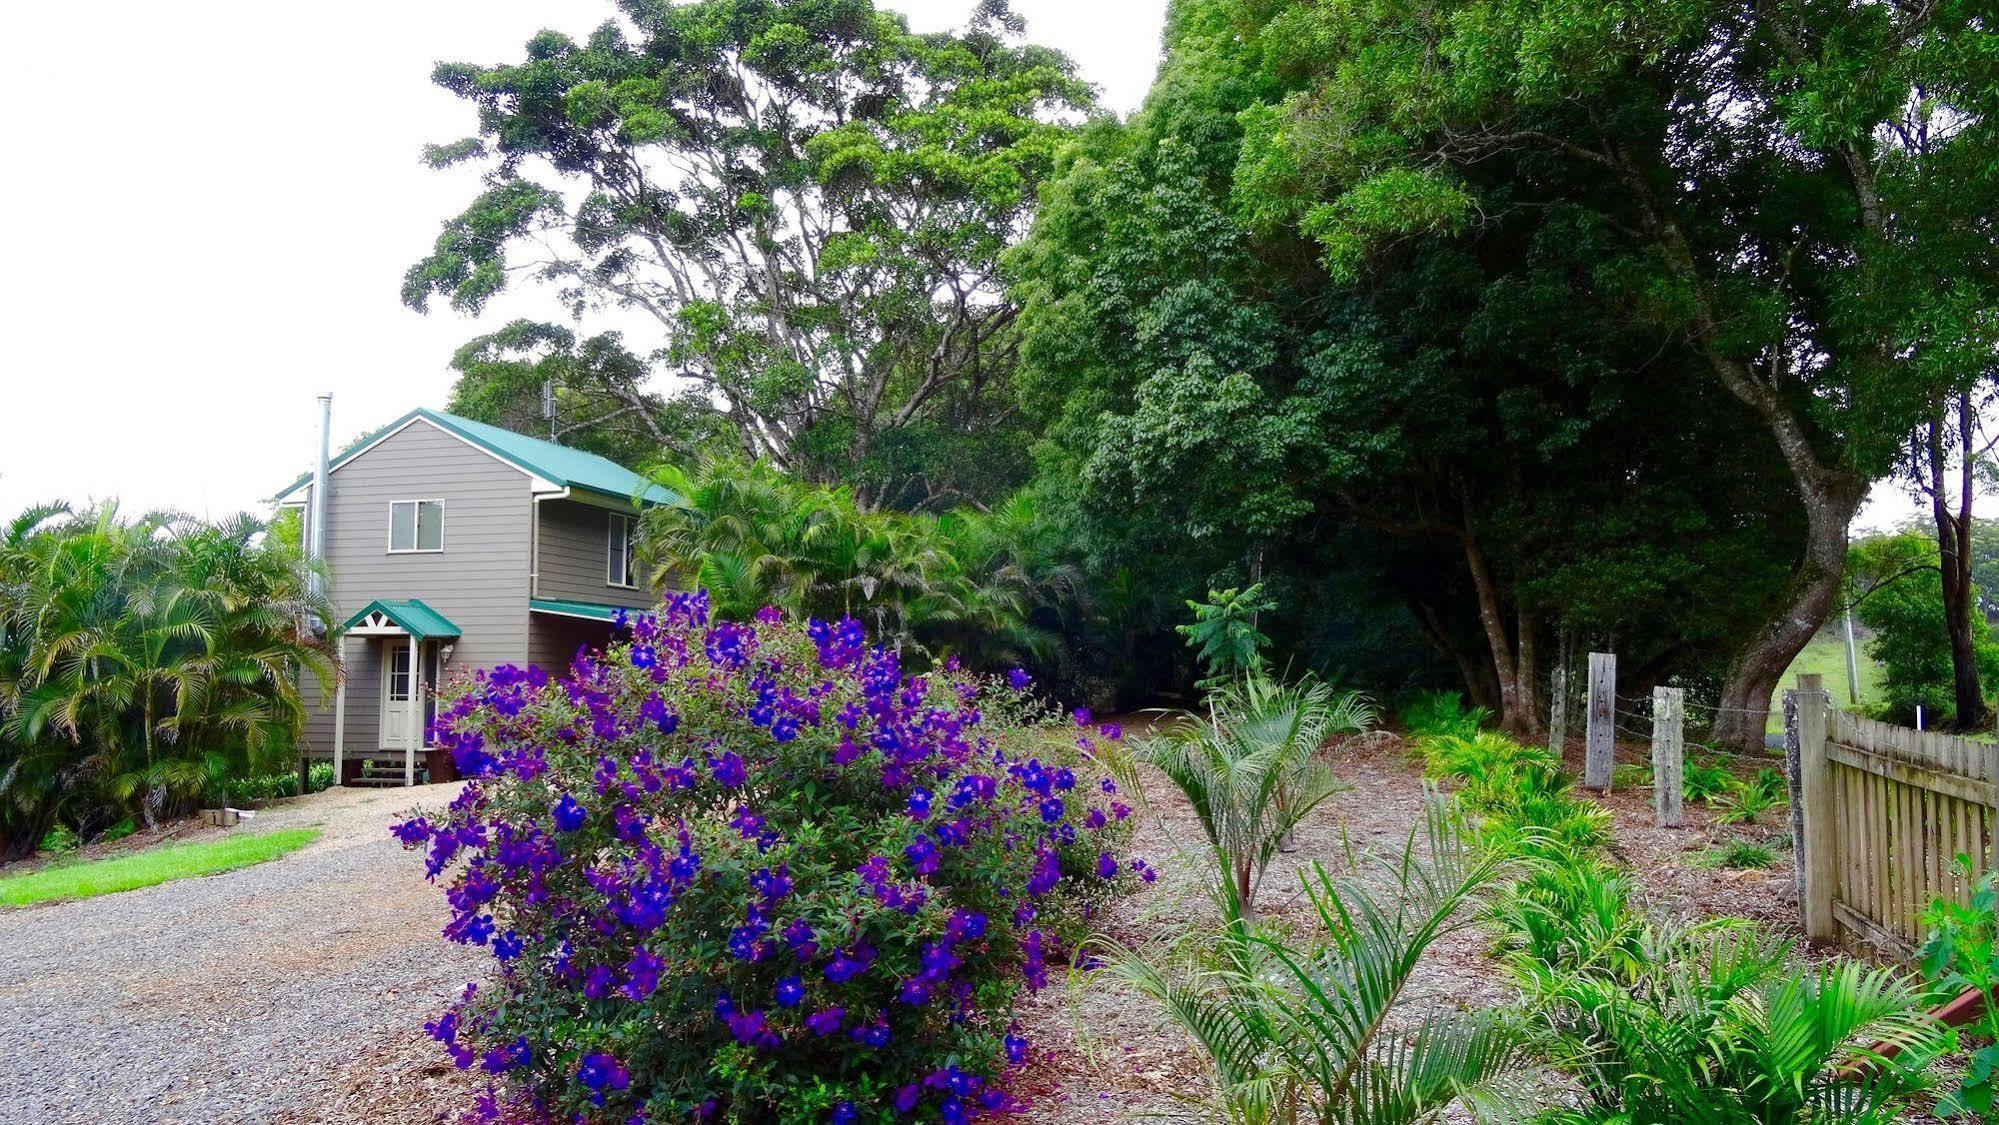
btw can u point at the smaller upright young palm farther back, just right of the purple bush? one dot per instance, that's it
(1250, 768)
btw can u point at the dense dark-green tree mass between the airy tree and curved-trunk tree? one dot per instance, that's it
(1442, 471)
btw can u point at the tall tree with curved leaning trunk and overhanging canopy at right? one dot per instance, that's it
(1800, 193)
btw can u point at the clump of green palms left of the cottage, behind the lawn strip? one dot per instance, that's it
(145, 662)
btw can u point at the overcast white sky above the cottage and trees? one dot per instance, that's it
(213, 207)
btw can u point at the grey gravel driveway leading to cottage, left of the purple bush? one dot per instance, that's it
(285, 992)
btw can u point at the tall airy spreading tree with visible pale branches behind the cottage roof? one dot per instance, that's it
(801, 199)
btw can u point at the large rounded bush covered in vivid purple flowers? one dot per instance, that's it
(755, 872)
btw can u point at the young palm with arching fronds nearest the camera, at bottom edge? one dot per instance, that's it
(1316, 1034)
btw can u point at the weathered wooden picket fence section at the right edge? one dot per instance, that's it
(1886, 812)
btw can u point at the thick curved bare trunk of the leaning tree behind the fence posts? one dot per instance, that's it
(1830, 507)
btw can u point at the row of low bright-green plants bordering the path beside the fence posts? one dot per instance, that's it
(1662, 1022)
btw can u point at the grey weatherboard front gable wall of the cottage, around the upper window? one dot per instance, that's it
(479, 580)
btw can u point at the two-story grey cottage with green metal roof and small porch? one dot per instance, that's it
(453, 545)
